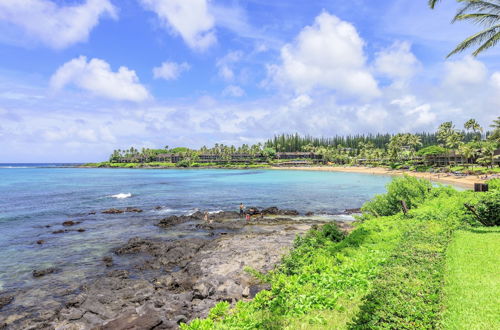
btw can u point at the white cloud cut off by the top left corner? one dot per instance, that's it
(53, 25)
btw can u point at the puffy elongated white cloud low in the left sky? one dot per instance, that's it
(96, 77)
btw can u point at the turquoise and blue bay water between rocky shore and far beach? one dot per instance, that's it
(35, 201)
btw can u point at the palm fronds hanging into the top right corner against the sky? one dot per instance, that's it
(482, 12)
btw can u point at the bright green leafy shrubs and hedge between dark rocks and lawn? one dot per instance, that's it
(388, 273)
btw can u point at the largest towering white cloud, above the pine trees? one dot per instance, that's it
(327, 55)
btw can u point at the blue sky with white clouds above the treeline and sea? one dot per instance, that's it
(80, 78)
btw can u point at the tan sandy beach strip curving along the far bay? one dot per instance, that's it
(462, 181)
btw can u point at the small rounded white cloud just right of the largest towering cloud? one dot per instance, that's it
(397, 62)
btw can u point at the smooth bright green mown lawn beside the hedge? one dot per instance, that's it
(472, 280)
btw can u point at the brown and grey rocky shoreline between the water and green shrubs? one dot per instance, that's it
(167, 282)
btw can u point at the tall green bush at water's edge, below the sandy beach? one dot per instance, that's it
(411, 190)
